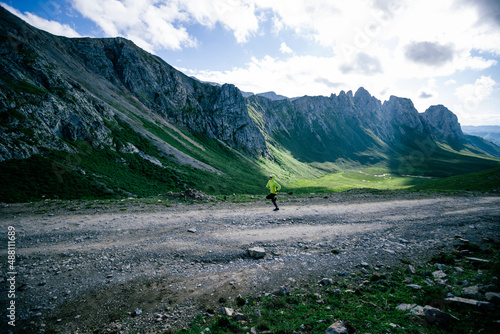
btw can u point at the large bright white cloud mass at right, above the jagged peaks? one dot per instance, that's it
(377, 44)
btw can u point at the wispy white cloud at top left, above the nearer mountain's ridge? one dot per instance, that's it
(155, 25)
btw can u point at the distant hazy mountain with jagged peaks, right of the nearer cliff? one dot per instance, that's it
(359, 128)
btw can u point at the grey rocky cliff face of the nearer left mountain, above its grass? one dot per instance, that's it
(55, 89)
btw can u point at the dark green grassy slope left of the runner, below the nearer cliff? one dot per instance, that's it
(104, 173)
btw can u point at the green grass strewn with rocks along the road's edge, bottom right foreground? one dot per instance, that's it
(366, 302)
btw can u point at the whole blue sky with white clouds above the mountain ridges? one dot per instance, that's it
(430, 51)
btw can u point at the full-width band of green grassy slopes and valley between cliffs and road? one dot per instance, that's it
(108, 173)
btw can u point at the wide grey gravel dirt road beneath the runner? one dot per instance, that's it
(86, 269)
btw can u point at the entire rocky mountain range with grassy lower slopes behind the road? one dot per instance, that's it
(103, 118)
